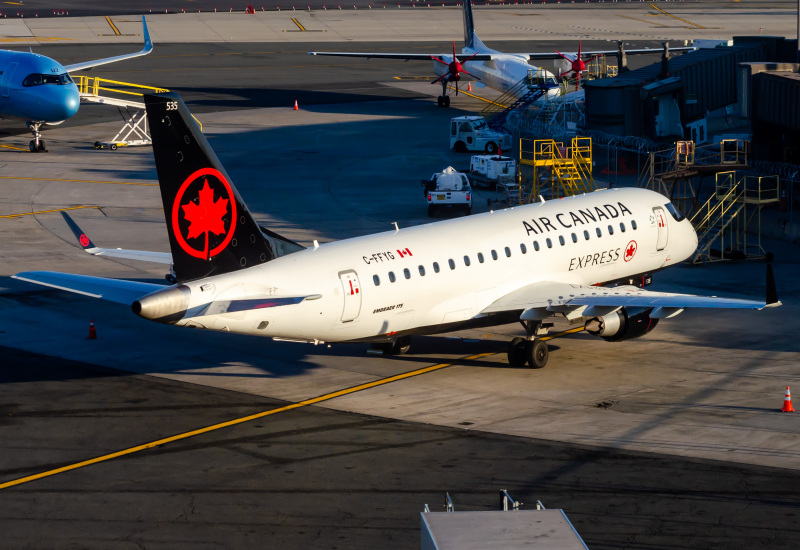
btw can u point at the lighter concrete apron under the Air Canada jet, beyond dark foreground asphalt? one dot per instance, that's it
(705, 384)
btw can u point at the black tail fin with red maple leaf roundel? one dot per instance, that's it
(210, 228)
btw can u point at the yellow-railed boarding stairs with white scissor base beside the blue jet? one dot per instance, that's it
(123, 96)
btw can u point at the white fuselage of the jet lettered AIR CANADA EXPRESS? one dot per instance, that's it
(350, 295)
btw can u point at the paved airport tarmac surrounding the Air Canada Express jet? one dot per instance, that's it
(668, 441)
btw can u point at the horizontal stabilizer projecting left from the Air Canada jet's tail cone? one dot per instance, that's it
(113, 290)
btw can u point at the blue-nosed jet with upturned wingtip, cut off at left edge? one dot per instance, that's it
(39, 90)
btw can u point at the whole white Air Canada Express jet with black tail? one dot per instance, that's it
(525, 264)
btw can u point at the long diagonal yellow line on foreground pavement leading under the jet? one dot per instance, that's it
(236, 421)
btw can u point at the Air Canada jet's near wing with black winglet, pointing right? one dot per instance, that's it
(540, 300)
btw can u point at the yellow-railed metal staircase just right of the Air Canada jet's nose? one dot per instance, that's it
(725, 218)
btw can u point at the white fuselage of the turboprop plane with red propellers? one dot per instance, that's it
(503, 73)
